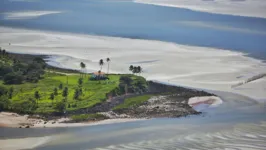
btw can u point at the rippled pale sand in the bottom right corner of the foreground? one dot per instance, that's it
(242, 137)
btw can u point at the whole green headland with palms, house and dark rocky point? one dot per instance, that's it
(28, 85)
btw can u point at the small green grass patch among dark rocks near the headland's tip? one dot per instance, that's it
(133, 101)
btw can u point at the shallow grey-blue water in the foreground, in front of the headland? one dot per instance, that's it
(239, 123)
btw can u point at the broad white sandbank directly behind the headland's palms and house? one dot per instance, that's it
(197, 67)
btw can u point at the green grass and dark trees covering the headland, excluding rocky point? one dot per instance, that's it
(27, 86)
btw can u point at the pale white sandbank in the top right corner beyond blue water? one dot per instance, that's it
(249, 8)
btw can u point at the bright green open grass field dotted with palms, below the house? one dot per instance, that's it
(93, 91)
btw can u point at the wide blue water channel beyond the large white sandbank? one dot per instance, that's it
(132, 20)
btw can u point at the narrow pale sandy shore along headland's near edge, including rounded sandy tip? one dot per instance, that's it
(14, 120)
